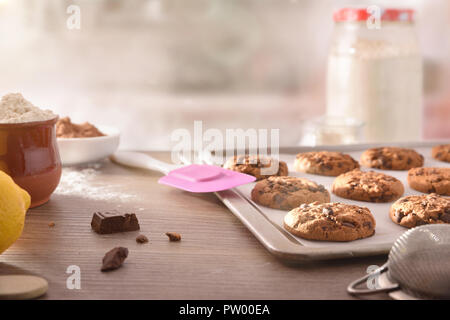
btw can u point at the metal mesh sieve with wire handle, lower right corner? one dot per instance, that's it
(418, 264)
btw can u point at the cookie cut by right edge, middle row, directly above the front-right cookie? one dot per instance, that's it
(430, 180)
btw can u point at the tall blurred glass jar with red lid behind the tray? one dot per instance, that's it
(375, 73)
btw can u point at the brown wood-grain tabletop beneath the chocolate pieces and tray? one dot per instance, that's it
(218, 258)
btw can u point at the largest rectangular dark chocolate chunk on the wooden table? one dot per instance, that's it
(112, 222)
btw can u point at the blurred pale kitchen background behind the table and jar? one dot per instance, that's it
(151, 66)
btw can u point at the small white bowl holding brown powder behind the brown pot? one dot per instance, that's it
(75, 151)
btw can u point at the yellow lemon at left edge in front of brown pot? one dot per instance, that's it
(14, 203)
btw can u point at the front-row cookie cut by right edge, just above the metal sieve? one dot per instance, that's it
(413, 211)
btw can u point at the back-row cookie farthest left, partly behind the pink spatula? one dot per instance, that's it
(257, 166)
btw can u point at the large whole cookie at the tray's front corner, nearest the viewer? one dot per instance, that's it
(330, 222)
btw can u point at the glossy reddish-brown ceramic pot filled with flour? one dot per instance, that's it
(29, 154)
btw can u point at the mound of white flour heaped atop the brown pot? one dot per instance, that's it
(14, 108)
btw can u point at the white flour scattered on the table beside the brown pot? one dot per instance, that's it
(83, 182)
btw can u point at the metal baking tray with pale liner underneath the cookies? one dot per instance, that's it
(266, 224)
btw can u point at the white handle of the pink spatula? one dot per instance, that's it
(141, 160)
